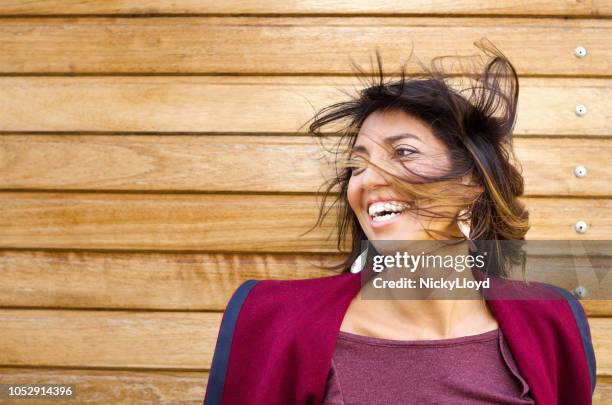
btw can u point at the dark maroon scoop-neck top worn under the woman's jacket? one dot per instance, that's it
(477, 369)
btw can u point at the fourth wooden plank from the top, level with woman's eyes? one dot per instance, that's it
(229, 163)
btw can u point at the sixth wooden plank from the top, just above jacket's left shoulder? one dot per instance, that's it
(196, 281)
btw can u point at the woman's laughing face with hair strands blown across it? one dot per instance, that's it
(409, 142)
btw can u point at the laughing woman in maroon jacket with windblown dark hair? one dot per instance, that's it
(418, 161)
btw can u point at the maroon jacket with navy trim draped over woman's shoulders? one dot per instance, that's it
(277, 339)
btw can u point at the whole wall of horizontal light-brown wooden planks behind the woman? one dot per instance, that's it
(152, 158)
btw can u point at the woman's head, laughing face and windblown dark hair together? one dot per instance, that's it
(438, 145)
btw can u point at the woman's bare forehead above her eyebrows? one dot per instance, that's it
(380, 125)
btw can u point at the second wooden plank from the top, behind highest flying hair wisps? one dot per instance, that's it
(272, 45)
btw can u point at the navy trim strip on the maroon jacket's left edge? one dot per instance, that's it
(216, 378)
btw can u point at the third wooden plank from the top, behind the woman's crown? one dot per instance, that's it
(252, 104)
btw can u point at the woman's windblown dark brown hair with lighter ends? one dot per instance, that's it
(474, 121)
